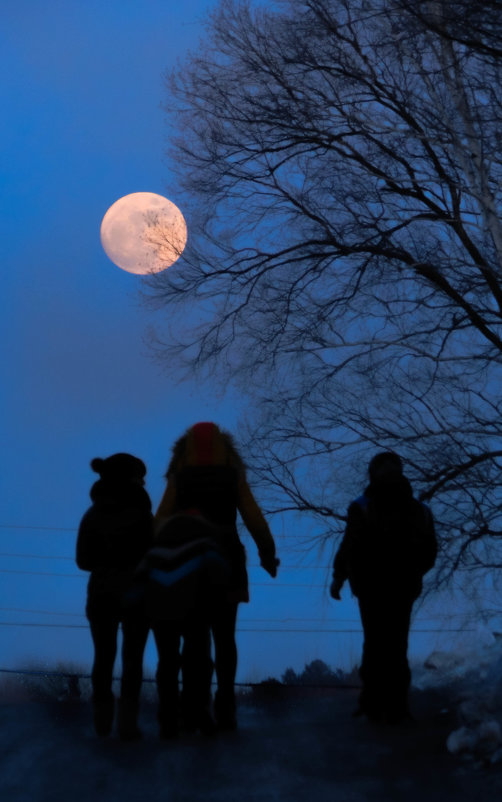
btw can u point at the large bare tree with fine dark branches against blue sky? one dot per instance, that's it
(341, 162)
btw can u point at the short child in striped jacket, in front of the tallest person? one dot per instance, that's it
(185, 576)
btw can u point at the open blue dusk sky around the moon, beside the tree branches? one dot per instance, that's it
(82, 83)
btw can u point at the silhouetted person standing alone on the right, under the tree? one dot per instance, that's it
(388, 546)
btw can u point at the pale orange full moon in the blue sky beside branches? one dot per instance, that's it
(143, 233)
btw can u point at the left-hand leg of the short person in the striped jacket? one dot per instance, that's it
(167, 638)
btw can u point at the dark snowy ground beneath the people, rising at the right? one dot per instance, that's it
(294, 745)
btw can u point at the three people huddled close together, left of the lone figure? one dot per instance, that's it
(180, 573)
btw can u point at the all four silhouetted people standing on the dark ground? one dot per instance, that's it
(182, 573)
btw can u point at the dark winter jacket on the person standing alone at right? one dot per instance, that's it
(389, 542)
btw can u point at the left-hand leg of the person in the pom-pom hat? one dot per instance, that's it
(104, 628)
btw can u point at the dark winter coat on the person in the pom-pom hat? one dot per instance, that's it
(113, 537)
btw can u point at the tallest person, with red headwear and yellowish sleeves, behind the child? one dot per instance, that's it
(206, 473)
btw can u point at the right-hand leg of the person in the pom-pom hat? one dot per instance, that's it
(135, 632)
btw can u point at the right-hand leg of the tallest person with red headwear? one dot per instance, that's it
(223, 628)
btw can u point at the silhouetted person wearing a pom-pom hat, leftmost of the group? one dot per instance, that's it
(114, 535)
